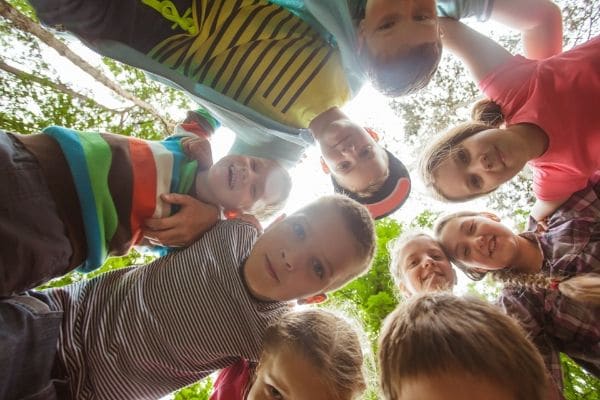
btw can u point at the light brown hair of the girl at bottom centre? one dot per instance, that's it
(331, 343)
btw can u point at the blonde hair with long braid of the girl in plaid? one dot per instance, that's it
(583, 287)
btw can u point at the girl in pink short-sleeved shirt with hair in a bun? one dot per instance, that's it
(543, 103)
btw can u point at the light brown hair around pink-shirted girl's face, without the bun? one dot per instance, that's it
(440, 150)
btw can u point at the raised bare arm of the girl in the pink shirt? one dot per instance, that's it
(481, 54)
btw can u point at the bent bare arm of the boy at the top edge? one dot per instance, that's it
(539, 21)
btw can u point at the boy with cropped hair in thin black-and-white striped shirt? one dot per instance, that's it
(145, 332)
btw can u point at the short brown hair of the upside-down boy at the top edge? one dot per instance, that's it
(406, 72)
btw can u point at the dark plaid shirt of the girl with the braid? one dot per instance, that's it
(556, 323)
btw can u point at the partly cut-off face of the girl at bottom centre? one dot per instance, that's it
(286, 374)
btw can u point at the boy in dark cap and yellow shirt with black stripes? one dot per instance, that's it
(259, 69)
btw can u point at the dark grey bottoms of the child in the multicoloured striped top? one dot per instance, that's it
(34, 245)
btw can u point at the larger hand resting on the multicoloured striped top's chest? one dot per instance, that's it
(184, 227)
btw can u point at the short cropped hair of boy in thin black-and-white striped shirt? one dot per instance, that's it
(358, 221)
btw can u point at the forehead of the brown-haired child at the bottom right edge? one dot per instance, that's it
(451, 386)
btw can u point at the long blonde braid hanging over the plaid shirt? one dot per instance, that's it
(584, 288)
